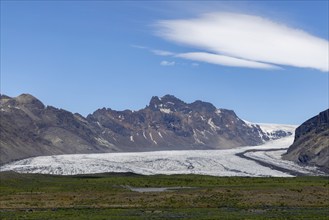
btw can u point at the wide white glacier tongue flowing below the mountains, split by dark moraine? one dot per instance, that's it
(206, 162)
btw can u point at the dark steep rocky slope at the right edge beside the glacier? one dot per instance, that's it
(311, 144)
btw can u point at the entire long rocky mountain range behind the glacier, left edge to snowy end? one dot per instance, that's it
(29, 128)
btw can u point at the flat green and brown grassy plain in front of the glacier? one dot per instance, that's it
(102, 196)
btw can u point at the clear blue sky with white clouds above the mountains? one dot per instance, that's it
(266, 60)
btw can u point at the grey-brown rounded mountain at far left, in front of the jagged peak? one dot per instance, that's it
(28, 128)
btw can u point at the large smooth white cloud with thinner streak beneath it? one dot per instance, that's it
(247, 41)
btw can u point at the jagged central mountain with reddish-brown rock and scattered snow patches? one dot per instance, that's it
(169, 123)
